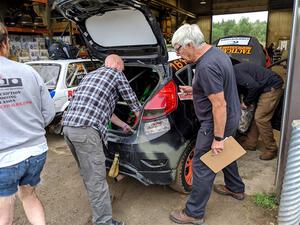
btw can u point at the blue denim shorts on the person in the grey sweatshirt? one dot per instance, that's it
(26, 172)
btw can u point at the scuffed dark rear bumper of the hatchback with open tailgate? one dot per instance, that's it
(152, 162)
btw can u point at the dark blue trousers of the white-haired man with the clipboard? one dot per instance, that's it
(203, 177)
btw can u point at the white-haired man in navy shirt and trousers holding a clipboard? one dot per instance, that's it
(217, 107)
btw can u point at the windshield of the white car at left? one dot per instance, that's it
(49, 73)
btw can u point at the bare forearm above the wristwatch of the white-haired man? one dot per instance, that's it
(220, 117)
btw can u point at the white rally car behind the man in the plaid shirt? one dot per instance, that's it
(62, 78)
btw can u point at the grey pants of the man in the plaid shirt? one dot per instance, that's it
(86, 147)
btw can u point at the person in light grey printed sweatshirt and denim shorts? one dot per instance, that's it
(26, 108)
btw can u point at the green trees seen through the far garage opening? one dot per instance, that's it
(257, 29)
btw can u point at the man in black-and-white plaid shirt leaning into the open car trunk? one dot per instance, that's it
(85, 127)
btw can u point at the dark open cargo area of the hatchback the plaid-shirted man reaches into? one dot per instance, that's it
(143, 81)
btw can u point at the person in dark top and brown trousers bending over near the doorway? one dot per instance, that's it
(261, 87)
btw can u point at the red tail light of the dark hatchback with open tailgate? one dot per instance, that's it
(163, 103)
